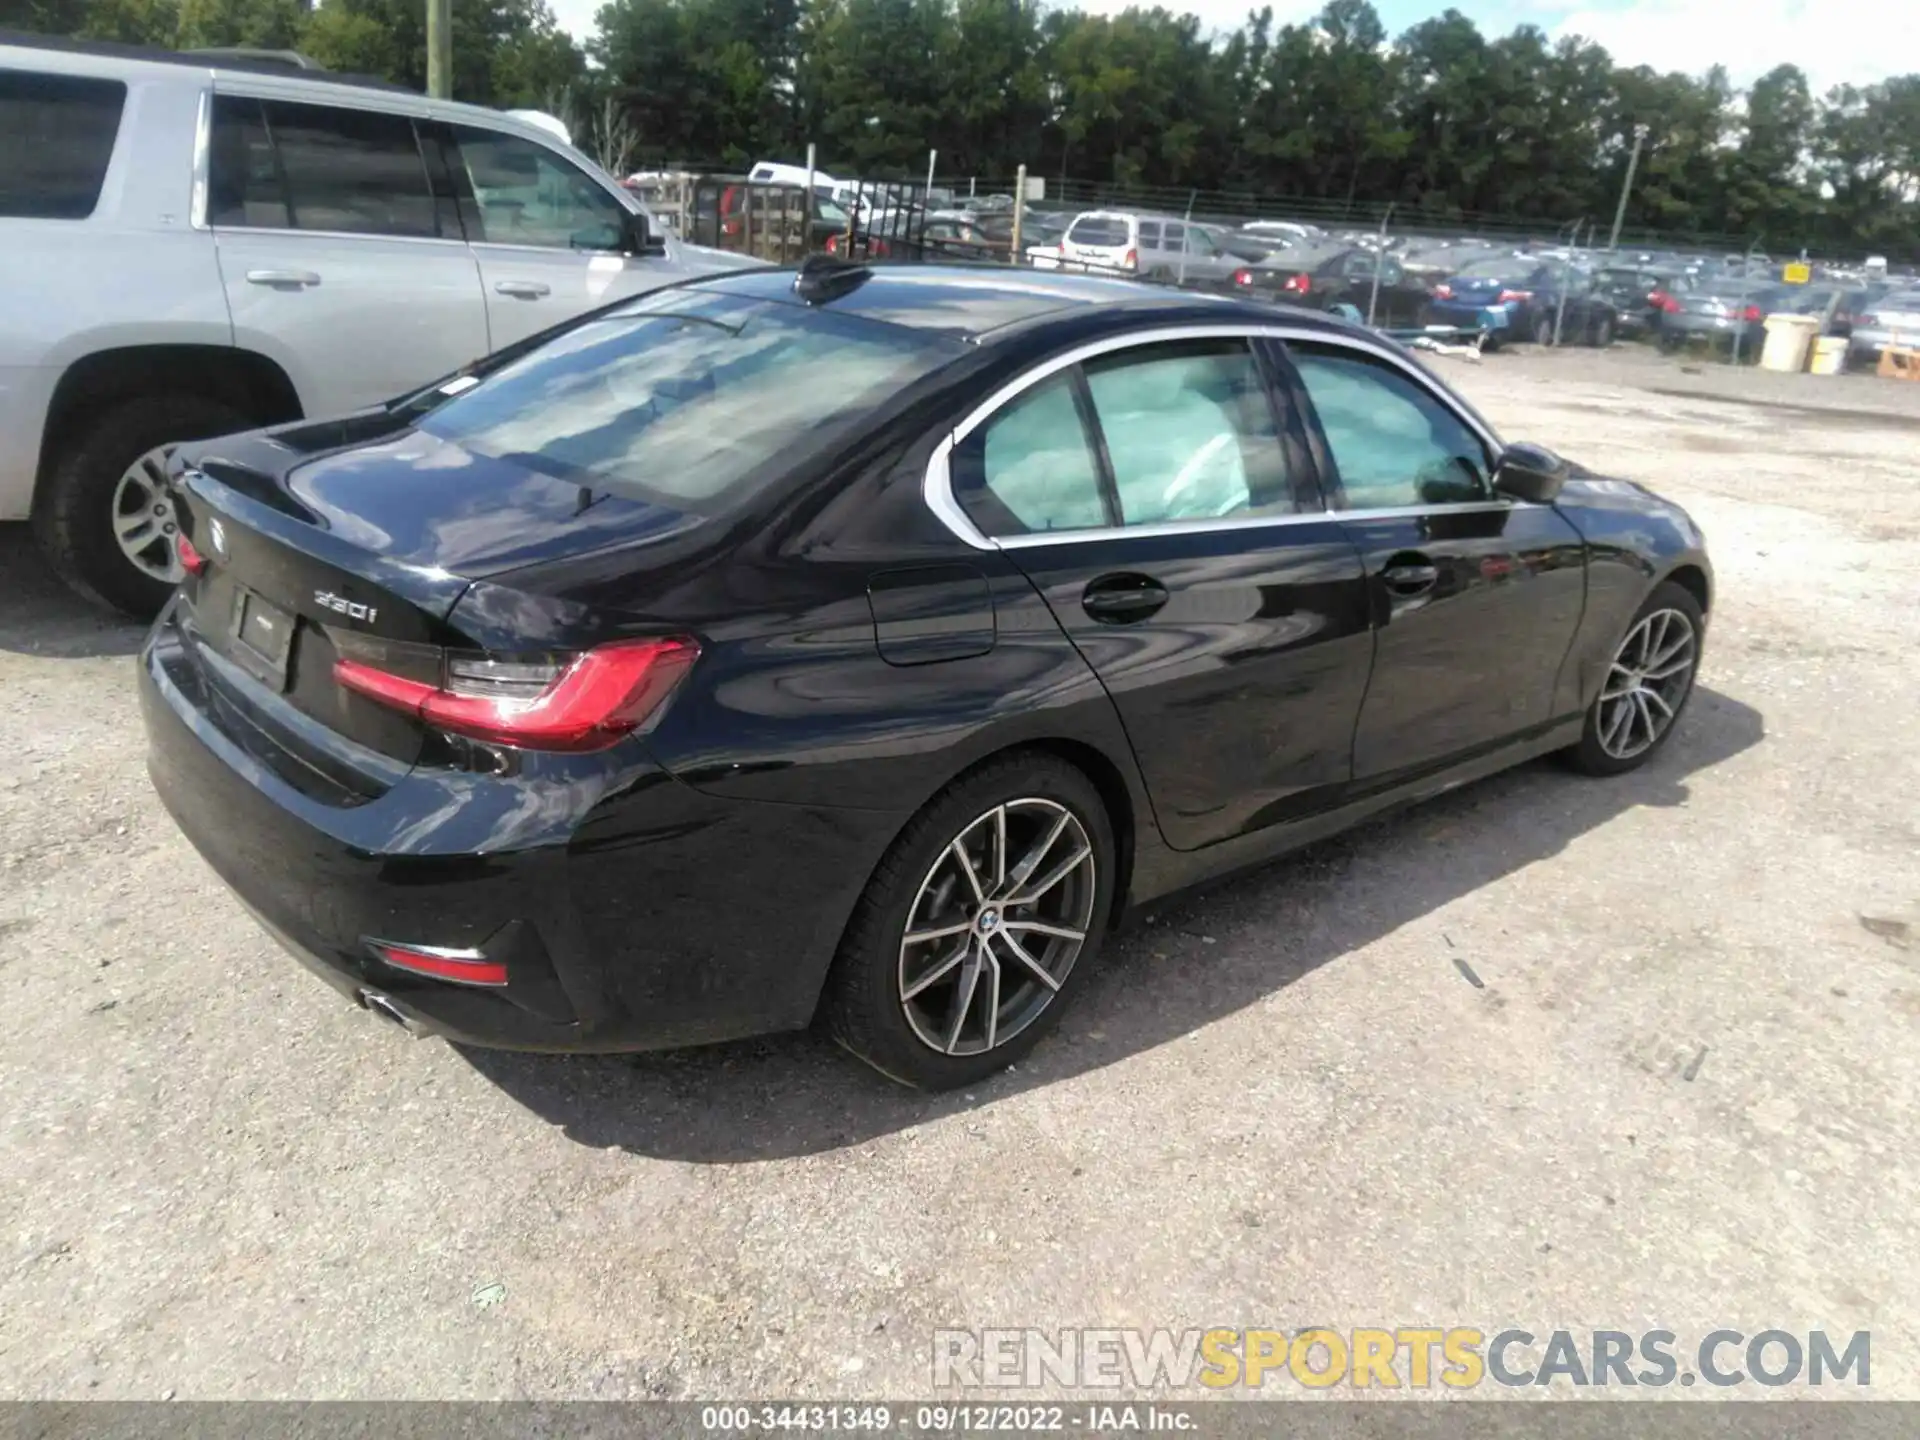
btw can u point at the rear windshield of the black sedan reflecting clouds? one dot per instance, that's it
(690, 398)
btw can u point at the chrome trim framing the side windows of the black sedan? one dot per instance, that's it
(938, 494)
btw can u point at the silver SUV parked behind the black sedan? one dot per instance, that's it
(197, 247)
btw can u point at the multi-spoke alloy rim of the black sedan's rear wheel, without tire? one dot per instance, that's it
(997, 924)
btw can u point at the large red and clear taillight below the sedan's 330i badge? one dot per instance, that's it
(585, 704)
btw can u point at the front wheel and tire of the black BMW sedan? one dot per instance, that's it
(1620, 732)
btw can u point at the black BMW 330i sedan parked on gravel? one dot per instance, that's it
(865, 644)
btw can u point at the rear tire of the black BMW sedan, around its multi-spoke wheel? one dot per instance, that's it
(894, 1003)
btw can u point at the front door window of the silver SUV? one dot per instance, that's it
(529, 197)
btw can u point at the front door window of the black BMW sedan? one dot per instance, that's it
(1391, 439)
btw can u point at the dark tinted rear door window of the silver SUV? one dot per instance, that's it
(279, 164)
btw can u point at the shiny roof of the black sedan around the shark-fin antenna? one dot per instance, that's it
(990, 304)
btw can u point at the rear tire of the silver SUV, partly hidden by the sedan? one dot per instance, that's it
(82, 494)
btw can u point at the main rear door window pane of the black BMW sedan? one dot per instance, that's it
(1189, 433)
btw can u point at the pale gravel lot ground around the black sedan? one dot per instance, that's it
(1683, 1095)
